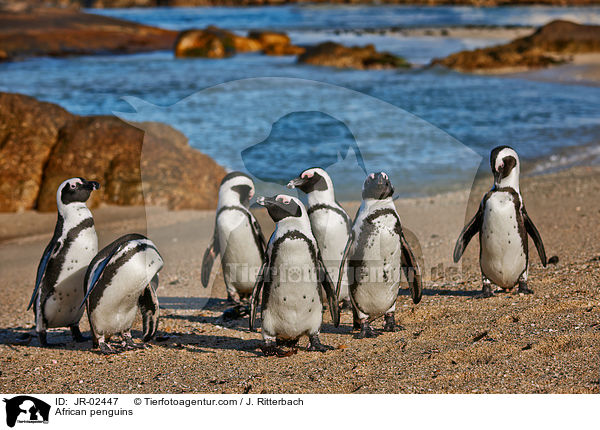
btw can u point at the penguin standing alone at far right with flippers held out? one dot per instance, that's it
(503, 225)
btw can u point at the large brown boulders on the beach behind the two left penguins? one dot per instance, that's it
(149, 163)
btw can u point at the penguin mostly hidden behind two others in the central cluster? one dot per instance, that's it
(330, 223)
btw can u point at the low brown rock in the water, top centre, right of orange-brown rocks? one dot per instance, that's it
(355, 57)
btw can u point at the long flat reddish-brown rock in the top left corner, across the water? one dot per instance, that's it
(59, 32)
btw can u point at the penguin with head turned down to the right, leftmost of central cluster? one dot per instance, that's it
(237, 237)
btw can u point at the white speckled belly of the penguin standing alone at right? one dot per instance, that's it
(503, 257)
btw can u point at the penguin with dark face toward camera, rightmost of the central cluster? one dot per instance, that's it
(375, 255)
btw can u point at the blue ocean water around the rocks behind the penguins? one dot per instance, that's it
(429, 129)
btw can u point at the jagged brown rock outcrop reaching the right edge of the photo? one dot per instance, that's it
(549, 45)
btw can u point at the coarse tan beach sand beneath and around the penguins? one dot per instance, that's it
(453, 342)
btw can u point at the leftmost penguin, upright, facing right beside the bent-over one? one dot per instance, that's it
(58, 294)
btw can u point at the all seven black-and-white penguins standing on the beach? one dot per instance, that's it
(315, 258)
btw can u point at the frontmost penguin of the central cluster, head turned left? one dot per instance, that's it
(290, 280)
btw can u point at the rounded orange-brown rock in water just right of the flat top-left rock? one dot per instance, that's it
(213, 42)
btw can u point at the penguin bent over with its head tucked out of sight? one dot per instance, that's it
(121, 279)
